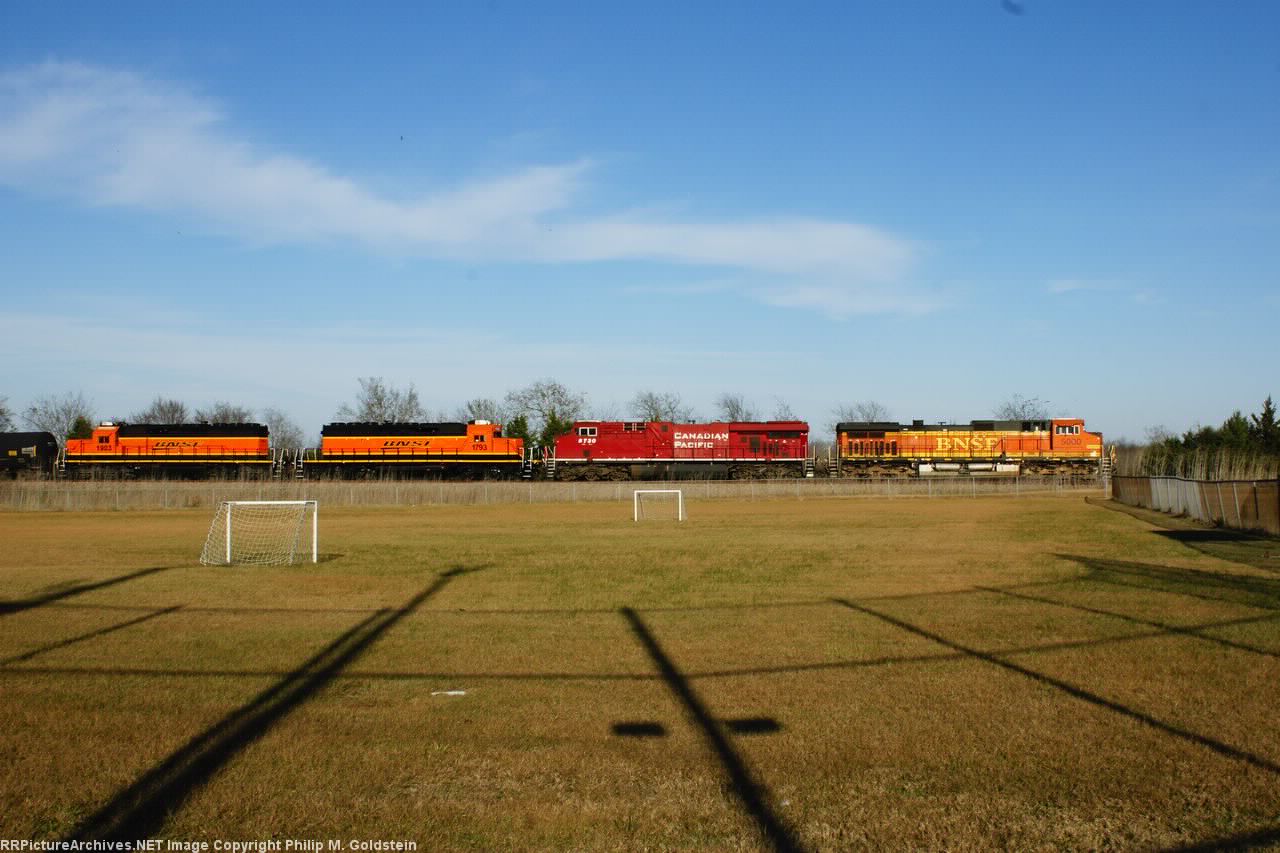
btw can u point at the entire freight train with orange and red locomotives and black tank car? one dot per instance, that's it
(592, 450)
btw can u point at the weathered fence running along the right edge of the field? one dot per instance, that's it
(1245, 505)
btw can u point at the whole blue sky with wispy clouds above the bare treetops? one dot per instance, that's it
(932, 206)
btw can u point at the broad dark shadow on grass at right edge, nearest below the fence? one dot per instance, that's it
(1213, 586)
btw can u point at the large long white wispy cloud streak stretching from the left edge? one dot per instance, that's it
(120, 139)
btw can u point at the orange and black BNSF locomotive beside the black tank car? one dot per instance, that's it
(171, 450)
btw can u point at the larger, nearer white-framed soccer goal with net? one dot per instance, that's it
(262, 533)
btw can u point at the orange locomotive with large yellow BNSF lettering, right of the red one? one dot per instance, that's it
(1035, 448)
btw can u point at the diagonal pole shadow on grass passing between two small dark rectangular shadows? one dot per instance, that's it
(753, 796)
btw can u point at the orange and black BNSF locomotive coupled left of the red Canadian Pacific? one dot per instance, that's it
(465, 451)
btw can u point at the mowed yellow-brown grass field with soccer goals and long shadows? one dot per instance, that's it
(1037, 673)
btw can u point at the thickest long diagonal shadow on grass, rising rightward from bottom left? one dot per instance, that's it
(140, 810)
